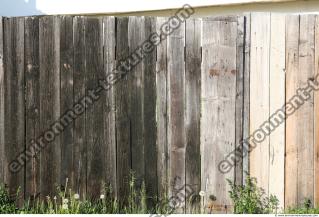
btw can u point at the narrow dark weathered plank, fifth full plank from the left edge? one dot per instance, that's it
(79, 78)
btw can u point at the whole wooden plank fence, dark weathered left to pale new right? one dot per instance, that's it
(173, 118)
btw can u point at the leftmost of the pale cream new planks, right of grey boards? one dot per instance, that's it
(259, 98)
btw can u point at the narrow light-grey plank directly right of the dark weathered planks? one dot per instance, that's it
(161, 113)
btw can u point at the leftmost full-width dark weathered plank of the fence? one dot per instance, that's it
(14, 103)
